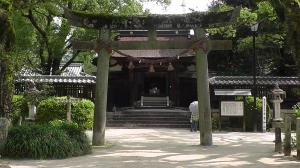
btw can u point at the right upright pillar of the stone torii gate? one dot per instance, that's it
(203, 92)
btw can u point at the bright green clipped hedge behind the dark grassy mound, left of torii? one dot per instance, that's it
(54, 108)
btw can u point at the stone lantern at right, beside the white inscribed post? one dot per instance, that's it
(277, 97)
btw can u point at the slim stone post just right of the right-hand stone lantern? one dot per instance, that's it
(287, 148)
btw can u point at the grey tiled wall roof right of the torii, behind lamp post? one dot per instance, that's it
(248, 80)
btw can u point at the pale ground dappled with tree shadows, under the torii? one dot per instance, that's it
(173, 148)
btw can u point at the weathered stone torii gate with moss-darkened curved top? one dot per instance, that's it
(104, 45)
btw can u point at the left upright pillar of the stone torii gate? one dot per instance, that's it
(101, 91)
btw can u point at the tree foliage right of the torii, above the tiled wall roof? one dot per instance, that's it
(276, 42)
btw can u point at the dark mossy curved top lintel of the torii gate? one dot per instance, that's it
(162, 22)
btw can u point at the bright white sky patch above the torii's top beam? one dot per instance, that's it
(176, 6)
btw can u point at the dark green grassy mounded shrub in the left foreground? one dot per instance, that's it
(46, 141)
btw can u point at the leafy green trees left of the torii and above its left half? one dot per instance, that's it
(44, 35)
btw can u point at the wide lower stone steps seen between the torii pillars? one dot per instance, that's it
(161, 118)
